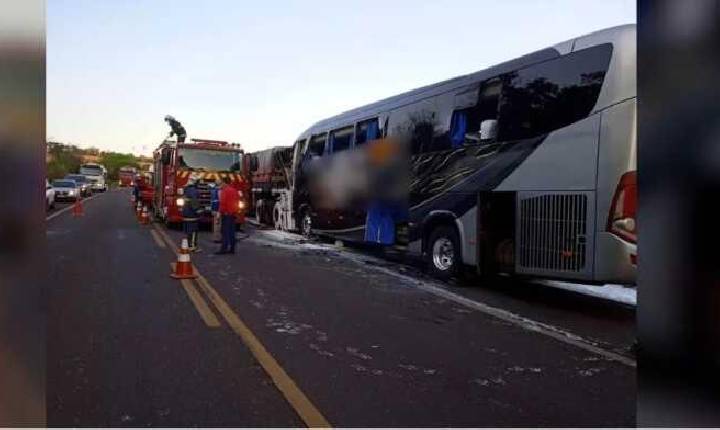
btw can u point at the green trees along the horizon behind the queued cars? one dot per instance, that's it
(64, 159)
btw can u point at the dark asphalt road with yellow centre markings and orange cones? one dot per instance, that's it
(290, 334)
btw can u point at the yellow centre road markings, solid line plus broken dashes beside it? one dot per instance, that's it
(289, 389)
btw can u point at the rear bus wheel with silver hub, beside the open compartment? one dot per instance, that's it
(443, 253)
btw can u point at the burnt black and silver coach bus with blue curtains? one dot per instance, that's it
(525, 168)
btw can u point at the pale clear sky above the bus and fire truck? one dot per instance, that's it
(261, 72)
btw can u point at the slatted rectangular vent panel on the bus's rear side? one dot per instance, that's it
(555, 233)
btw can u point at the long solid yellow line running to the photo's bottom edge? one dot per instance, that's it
(297, 399)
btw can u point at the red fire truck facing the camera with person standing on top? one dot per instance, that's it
(206, 161)
